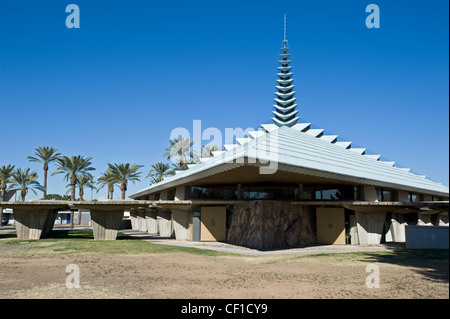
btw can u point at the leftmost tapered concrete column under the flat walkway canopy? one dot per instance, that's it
(30, 223)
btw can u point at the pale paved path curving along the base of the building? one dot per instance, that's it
(228, 248)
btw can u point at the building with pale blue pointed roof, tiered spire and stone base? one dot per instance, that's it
(289, 185)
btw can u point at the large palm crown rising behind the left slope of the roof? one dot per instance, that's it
(181, 147)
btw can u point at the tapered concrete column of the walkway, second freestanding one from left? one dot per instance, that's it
(106, 223)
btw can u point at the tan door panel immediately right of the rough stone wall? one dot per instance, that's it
(330, 226)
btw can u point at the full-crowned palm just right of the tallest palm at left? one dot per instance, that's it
(74, 166)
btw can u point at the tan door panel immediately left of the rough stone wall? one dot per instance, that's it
(213, 224)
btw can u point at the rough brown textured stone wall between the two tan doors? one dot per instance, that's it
(266, 225)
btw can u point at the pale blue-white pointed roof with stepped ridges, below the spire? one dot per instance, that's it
(305, 151)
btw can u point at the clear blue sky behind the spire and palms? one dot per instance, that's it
(116, 87)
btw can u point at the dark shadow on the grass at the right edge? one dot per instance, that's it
(431, 263)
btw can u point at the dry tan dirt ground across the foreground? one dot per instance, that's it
(183, 275)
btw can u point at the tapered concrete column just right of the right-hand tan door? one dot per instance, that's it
(370, 227)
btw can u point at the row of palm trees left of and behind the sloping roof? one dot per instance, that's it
(77, 171)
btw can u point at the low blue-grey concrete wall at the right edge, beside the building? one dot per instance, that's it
(427, 237)
